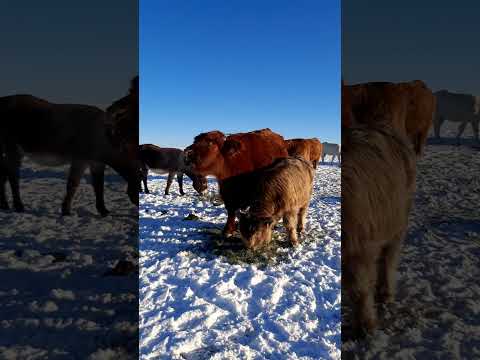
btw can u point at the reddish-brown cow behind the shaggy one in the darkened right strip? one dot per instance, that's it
(408, 106)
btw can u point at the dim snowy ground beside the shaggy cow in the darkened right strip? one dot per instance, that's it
(437, 312)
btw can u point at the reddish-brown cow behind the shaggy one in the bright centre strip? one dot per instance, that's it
(215, 154)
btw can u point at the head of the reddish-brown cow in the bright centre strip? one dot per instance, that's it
(203, 155)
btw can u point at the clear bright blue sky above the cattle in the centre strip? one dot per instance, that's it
(239, 65)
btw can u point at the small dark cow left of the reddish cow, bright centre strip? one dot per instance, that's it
(171, 161)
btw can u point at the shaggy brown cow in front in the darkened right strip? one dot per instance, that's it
(378, 181)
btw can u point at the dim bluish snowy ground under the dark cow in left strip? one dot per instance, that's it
(55, 300)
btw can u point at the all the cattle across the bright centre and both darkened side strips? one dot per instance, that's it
(262, 177)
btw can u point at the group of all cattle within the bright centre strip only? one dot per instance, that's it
(262, 177)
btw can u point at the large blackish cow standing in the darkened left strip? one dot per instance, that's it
(59, 133)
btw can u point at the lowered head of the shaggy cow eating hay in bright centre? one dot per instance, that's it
(256, 231)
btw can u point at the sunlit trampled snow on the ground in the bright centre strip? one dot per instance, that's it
(201, 298)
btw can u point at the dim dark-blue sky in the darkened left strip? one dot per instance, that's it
(69, 52)
